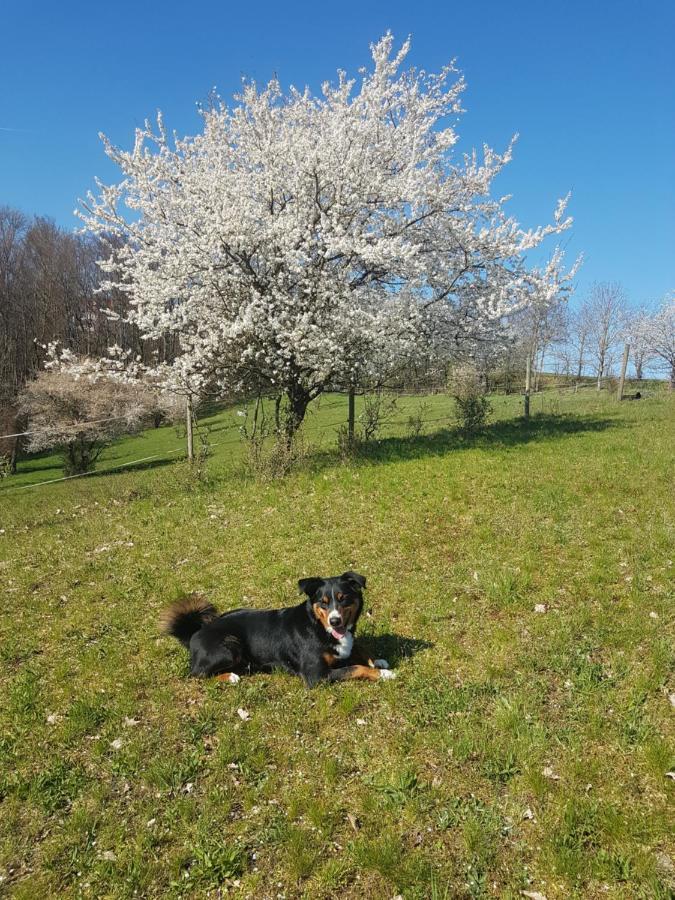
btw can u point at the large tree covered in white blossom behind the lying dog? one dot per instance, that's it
(303, 240)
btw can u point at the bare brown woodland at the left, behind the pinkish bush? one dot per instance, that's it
(49, 292)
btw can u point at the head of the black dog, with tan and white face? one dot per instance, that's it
(335, 603)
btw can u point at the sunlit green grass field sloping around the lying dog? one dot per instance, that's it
(518, 750)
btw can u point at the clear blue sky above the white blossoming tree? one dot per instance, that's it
(589, 86)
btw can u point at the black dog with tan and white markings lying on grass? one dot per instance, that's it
(314, 639)
